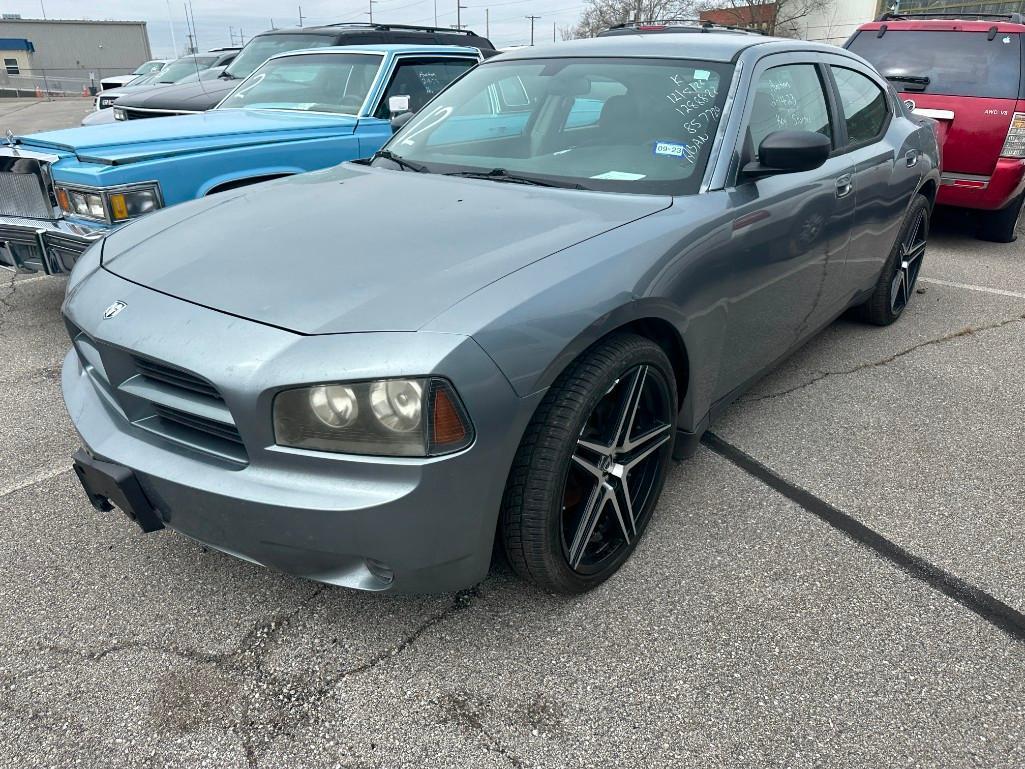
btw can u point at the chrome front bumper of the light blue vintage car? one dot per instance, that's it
(40, 247)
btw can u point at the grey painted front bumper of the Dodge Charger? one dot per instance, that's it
(340, 519)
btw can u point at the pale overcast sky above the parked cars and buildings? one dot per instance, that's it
(214, 18)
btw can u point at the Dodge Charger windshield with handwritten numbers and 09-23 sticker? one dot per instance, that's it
(636, 126)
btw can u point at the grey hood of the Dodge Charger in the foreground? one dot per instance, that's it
(353, 249)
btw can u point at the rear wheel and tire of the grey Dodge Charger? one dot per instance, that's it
(896, 282)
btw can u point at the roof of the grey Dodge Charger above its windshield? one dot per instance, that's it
(714, 47)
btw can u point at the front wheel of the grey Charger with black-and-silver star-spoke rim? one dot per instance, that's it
(591, 467)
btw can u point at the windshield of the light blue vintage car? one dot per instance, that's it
(311, 83)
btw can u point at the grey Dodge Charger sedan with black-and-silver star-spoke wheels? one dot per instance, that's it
(504, 327)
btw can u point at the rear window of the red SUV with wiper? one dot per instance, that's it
(957, 64)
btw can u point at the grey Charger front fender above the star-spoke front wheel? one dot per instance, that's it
(671, 267)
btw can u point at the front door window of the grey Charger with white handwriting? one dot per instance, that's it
(787, 99)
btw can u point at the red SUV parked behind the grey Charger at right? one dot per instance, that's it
(966, 73)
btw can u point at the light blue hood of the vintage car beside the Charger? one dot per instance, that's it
(135, 141)
